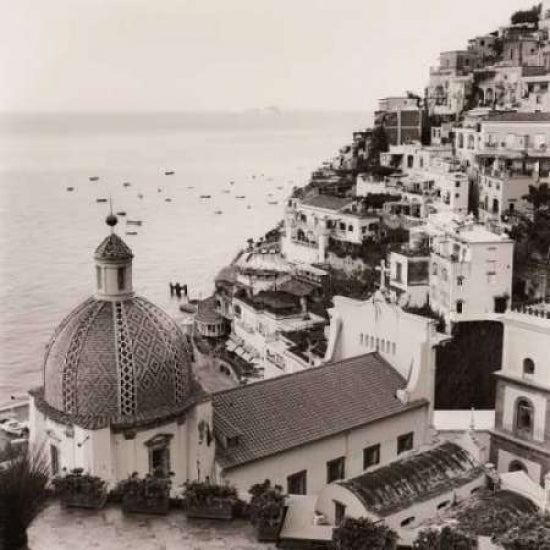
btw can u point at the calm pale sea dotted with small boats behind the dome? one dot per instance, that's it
(48, 235)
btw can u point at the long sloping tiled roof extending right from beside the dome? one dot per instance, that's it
(292, 410)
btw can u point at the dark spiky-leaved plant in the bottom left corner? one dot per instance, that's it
(23, 481)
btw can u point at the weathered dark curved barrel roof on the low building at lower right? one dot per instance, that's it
(416, 478)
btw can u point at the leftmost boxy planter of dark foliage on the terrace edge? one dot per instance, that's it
(81, 490)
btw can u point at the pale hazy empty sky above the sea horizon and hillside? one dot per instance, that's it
(150, 55)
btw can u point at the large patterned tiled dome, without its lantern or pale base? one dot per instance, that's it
(117, 359)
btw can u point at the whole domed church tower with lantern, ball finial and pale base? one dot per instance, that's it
(118, 393)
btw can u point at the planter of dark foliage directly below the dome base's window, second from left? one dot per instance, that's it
(148, 495)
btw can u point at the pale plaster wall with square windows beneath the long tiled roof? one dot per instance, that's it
(314, 456)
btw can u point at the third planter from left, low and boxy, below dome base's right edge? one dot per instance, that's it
(203, 499)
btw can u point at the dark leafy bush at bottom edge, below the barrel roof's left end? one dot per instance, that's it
(363, 534)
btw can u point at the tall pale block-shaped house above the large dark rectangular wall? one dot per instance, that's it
(470, 273)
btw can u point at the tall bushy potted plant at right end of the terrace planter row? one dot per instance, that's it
(267, 508)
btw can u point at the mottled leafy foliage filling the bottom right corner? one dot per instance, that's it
(526, 532)
